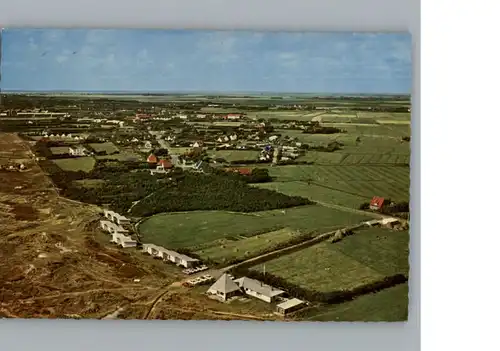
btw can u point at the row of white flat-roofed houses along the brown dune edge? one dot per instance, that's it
(119, 228)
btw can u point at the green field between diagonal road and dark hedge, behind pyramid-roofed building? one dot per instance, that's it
(366, 256)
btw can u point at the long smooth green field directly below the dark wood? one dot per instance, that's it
(191, 229)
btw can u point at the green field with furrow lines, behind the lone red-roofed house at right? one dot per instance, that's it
(343, 185)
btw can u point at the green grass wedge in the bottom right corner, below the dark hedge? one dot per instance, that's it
(389, 305)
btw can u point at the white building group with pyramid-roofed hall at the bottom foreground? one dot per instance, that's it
(227, 288)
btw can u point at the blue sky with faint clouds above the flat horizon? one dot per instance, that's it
(181, 60)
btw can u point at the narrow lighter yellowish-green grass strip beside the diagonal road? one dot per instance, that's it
(224, 250)
